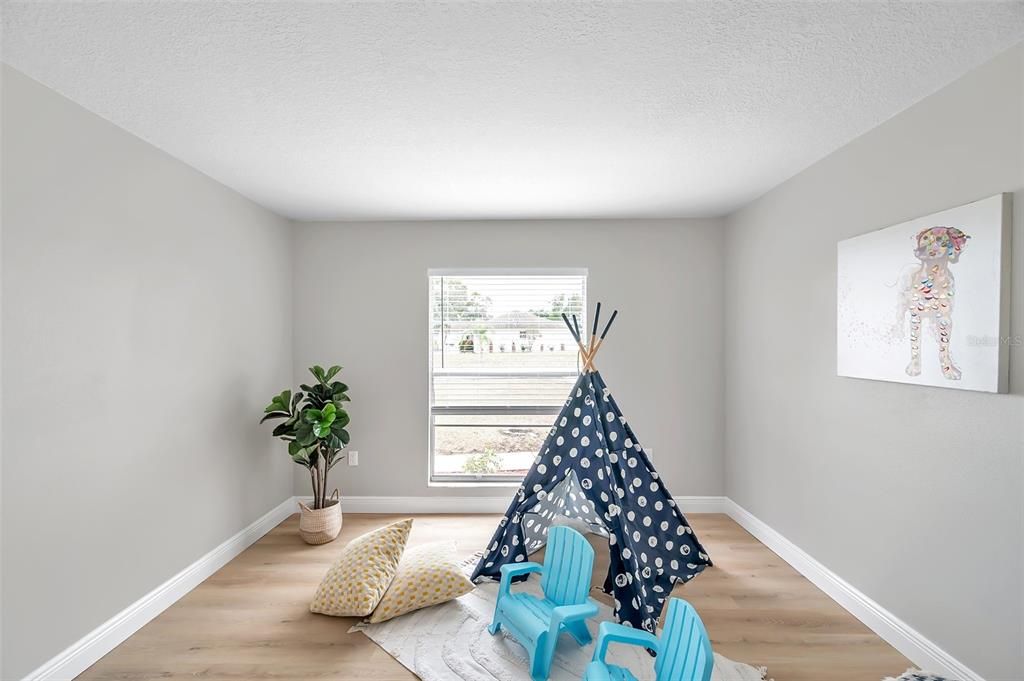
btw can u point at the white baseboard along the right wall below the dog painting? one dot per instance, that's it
(898, 633)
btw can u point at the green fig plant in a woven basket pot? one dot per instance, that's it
(313, 422)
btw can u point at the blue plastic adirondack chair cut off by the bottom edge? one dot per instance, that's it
(684, 652)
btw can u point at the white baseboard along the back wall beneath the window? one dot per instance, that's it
(484, 504)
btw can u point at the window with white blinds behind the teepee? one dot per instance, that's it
(502, 363)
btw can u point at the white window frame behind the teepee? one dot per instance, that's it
(462, 481)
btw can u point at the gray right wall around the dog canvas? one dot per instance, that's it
(922, 488)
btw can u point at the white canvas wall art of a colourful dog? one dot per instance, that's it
(927, 302)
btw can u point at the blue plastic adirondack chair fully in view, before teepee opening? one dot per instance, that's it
(537, 623)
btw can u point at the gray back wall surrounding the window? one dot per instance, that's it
(663, 360)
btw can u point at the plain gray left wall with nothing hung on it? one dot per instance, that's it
(146, 325)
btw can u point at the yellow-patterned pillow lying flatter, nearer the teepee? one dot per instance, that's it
(428, 575)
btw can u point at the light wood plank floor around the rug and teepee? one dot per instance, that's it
(251, 620)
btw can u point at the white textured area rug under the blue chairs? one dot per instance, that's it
(450, 643)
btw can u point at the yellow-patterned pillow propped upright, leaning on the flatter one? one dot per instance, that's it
(357, 582)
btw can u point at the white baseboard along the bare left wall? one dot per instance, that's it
(81, 655)
